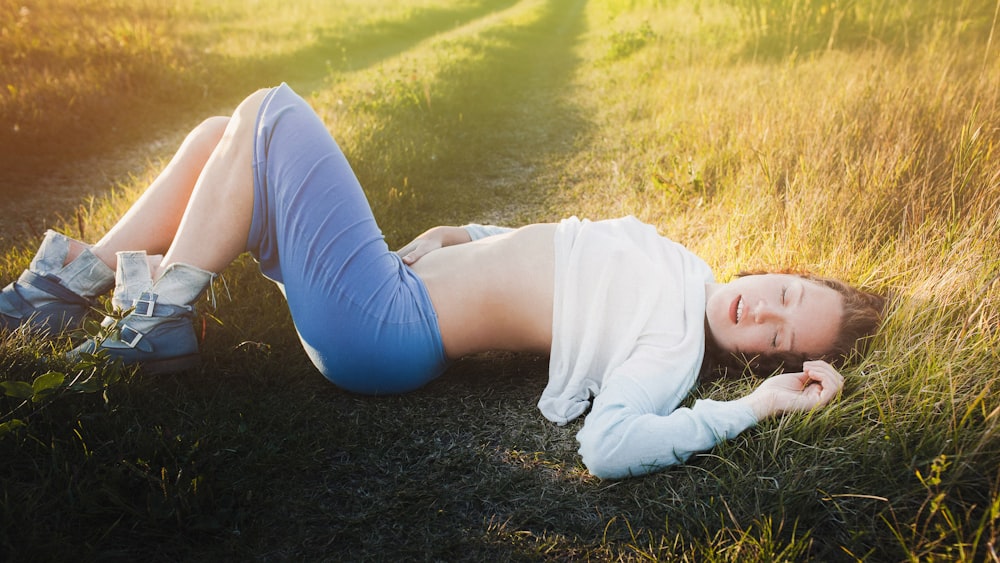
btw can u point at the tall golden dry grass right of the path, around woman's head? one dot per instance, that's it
(877, 164)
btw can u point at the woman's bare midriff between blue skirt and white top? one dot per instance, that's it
(494, 293)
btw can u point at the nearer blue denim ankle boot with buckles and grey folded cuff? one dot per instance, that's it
(157, 333)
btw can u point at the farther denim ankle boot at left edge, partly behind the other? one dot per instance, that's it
(50, 297)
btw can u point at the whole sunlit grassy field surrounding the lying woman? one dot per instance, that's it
(855, 138)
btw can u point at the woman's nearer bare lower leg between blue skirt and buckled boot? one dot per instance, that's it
(216, 223)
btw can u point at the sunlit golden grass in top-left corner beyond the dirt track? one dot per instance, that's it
(61, 56)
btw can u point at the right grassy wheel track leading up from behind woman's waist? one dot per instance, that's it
(519, 127)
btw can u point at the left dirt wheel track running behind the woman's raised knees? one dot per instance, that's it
(37, 189)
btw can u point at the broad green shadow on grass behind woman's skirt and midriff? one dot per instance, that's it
(487, 145)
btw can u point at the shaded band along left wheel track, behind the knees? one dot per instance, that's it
(50, 173)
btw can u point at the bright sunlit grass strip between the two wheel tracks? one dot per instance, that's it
(415, 90)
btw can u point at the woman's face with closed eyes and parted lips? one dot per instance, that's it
(769, 313)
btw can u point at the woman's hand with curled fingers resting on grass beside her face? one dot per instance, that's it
(818, 384)
